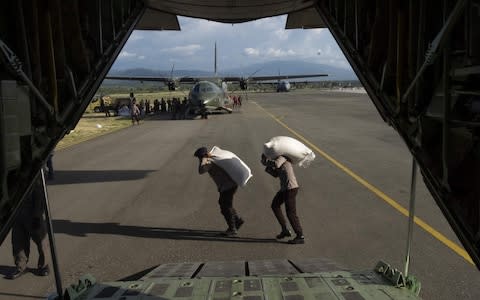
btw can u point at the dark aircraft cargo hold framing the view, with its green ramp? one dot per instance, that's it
(418, 61)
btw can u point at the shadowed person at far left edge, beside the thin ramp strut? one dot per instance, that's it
(30, 224)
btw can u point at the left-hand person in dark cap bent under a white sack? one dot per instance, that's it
(226, 187)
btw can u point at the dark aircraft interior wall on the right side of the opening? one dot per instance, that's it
(419, 62)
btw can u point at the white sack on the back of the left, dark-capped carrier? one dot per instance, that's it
(232, 164)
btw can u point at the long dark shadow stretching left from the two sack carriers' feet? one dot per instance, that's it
(81, 229)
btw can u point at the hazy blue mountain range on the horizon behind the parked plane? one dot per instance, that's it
(280, 67)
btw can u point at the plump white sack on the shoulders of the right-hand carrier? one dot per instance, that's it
(295, 150)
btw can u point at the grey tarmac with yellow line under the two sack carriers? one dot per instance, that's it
(133, 199)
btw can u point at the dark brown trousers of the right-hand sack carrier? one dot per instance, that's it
(289, 198)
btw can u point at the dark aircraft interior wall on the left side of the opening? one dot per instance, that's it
(55, 55)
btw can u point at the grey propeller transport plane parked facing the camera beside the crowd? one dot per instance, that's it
(210, 93)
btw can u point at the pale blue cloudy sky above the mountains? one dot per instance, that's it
(238, 45)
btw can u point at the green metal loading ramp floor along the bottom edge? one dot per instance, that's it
(311, 286)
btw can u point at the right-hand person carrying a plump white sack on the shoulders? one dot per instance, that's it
(282, 167)
